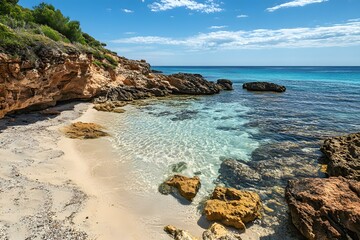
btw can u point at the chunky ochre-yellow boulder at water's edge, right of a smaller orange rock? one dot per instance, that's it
(233, 207)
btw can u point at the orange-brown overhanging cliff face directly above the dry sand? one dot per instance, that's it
(54, 77)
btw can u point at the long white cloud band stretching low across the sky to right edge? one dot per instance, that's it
(338, 35)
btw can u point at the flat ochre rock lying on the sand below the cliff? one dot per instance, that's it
(80, 130)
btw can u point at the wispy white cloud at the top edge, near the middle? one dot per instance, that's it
(208, 6)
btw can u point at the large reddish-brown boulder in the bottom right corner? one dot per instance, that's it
(325, 208)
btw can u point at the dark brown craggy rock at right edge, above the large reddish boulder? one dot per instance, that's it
(343, 156)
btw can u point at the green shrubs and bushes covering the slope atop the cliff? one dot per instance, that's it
(23, 31)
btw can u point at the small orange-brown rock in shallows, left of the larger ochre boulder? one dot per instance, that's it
(187, 187)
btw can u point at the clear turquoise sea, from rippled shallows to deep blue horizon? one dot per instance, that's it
(277, 134)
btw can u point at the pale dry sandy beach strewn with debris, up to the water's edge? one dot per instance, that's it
(46, 188)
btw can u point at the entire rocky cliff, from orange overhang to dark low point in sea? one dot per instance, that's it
(55, 75)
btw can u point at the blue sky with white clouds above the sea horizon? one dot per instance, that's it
(223, 32)
